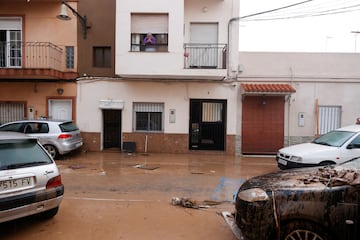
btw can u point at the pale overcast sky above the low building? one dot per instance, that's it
(312, 26)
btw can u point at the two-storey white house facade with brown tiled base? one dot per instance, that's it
(171, 92)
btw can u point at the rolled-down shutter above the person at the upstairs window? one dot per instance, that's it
(153, 23)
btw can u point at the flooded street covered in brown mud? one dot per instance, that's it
(113, 195)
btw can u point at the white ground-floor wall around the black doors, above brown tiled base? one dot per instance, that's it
(175, 95)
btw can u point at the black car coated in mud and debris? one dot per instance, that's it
(320, 203)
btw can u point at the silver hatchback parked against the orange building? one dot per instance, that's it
(59, 137)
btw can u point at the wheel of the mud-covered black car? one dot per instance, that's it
(302, 231)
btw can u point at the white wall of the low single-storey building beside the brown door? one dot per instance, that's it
(331, 79)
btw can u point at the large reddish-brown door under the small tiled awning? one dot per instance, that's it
(262, 124)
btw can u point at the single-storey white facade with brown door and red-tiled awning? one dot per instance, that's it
(323, 96)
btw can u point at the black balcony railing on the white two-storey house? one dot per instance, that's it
(205, 56)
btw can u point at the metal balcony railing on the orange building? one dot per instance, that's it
(40, 55)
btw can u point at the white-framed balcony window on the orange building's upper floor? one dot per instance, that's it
(10, 42)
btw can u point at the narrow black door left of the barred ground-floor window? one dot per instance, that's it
(112, 128)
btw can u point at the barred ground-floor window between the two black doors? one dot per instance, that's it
(148, 117)
